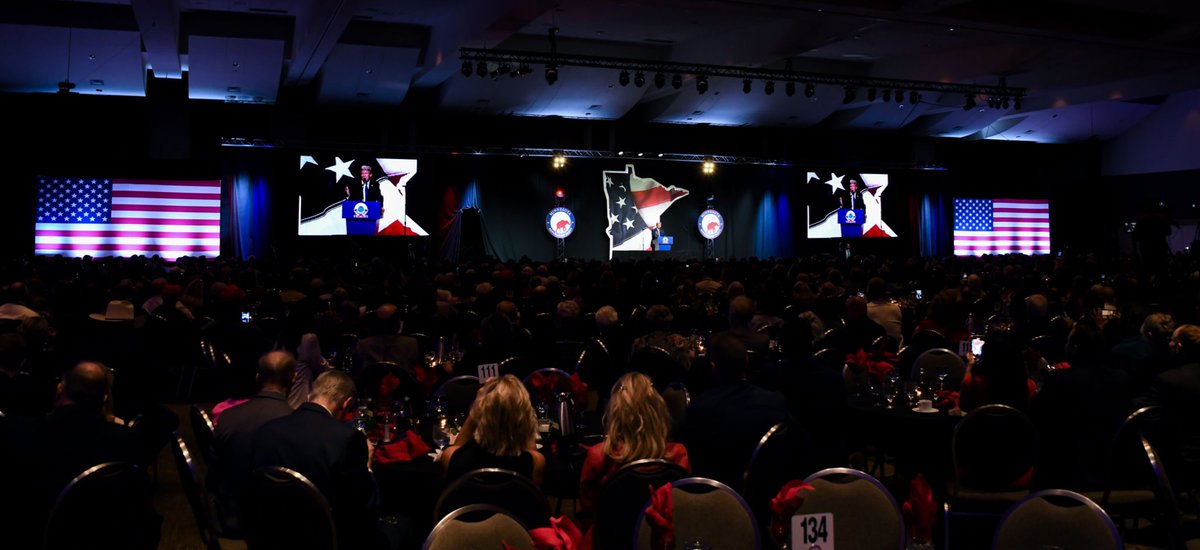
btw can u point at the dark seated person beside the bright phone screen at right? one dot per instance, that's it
(999, 376)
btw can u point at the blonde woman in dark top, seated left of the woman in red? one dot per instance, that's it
(500, 433)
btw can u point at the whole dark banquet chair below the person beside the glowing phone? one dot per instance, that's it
(993, 451)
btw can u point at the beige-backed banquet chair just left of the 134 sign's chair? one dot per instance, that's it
(695, 504)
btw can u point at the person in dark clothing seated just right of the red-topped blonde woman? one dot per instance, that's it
(725, 423)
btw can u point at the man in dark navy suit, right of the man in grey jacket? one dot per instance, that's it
(315, 443)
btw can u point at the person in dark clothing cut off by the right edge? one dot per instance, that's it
(1178, 392)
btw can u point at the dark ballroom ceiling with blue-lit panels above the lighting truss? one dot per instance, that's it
(1090, 69)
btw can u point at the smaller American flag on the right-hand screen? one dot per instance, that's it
(997, 226)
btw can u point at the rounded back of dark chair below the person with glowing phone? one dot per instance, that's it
(994, 450)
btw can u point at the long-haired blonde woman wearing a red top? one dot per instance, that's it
(637, 423)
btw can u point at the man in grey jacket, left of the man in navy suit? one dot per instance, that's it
(233, 441)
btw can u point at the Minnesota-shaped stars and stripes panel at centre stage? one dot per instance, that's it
(635, 205)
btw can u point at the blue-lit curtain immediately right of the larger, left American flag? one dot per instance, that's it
(249, 207)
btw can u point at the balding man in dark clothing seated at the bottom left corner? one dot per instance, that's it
(40, 456)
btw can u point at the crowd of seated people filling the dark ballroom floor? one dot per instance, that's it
(1112, 338)
